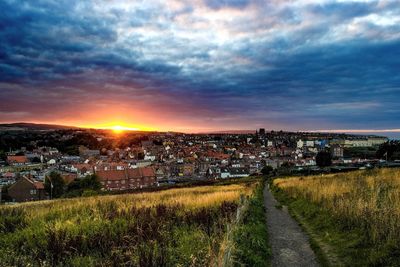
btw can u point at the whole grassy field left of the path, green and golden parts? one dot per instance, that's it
(175, 227)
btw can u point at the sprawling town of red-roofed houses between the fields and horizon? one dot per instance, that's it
(137, 160)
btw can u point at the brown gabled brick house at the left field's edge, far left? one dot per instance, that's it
(26, 189)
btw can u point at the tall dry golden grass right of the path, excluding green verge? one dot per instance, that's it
(366, 199)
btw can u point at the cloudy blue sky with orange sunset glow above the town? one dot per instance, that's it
(202, 65)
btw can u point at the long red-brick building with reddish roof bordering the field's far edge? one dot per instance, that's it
(127, 179)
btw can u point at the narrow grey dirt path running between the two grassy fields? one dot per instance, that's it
(290, 246)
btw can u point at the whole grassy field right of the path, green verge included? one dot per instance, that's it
(357, 213)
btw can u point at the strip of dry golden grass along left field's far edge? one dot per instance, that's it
(189, 198)
